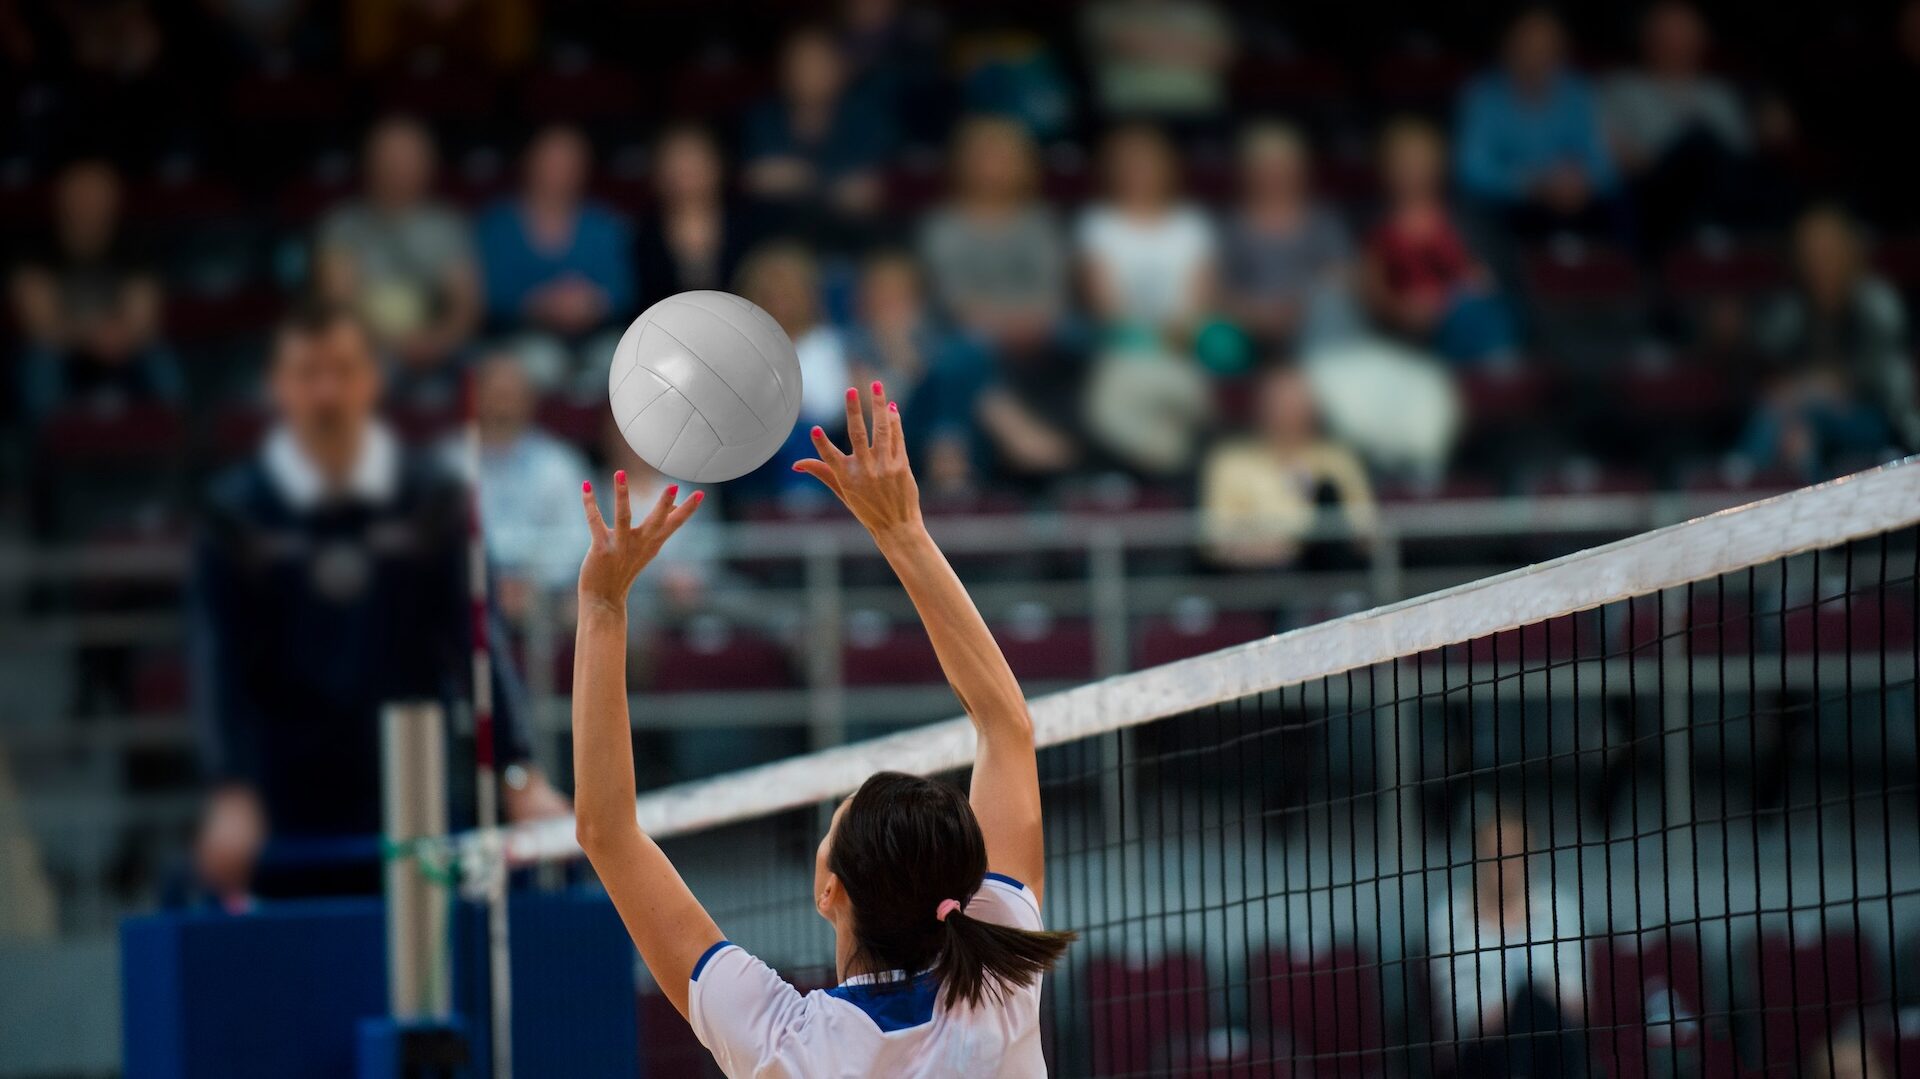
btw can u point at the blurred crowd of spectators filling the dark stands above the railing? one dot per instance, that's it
(1176, 243)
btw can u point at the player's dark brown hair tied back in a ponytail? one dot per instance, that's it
(901, 850)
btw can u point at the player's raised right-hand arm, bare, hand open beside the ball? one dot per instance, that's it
(878, 487)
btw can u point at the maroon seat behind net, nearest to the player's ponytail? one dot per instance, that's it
(1145, 1015)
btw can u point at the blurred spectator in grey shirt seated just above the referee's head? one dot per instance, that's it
(404, 262)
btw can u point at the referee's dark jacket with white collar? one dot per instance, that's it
(312, 611)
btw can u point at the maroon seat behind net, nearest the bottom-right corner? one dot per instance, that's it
(1808, 988)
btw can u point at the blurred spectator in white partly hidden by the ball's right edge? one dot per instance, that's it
(784, 281)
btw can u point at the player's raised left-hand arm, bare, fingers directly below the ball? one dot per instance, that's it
(669, 926)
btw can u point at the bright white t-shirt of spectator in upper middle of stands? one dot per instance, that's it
(1155, 268)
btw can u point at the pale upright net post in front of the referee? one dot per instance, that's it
(414, 796)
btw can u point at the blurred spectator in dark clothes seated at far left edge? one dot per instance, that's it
(87, 304)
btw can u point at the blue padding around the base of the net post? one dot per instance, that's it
(283, 992)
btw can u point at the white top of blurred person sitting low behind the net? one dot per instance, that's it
(1479, 969)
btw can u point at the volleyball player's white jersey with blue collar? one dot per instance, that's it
(759, 1026)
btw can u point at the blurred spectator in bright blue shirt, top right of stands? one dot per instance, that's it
(1531, 141)
